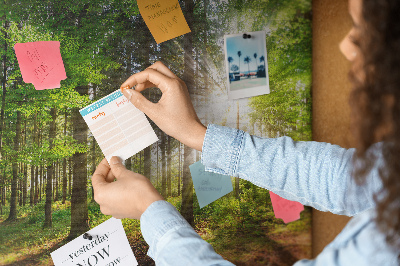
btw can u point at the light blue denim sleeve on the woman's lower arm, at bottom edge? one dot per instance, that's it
(172, 240)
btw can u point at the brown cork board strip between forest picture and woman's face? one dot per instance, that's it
(331, 89)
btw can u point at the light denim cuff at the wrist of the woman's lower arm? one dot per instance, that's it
(157, 220)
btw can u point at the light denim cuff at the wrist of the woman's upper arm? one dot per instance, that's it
(222, 148)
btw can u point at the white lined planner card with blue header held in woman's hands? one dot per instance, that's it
(118, 126)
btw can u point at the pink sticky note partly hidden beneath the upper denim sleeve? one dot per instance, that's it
(284, 209)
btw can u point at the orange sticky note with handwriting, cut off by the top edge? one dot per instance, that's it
(164, 18)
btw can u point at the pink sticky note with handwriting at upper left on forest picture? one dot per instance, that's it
(41, 63)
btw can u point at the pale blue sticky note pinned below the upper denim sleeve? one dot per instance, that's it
(209, 186)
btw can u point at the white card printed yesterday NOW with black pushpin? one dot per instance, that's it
(108, 247)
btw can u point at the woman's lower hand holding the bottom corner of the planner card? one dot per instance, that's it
(128, 196)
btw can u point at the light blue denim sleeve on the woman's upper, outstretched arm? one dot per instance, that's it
(312, 173)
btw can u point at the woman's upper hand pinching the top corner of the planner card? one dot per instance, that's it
(174, 113)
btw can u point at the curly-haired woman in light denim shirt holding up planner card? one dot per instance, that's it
(320, 175)
